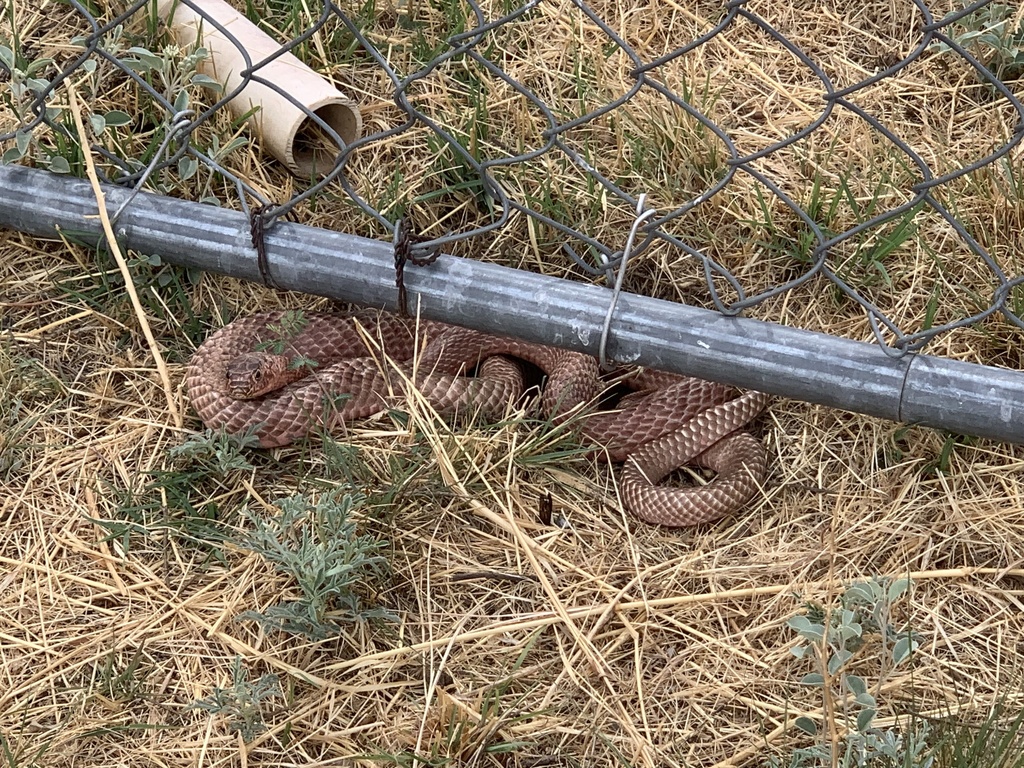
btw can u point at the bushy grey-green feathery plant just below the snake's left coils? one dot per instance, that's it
(318, 546)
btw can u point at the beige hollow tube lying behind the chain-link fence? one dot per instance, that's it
(287, 132)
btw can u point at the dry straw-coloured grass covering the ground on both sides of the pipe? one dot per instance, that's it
(602, 643)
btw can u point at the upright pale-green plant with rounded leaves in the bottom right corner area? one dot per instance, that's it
(838, 641)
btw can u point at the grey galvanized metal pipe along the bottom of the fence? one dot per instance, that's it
(854, 376)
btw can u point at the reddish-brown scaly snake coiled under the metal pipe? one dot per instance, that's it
(286, 379)
